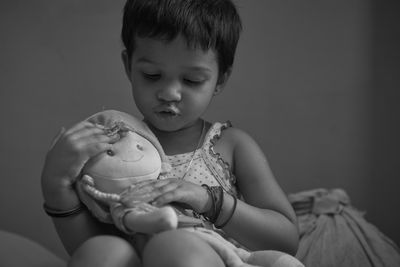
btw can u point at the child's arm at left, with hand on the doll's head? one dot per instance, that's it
(64, 161)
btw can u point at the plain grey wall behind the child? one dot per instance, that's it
(315, 83)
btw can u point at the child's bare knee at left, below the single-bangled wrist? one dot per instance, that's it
(102, 251)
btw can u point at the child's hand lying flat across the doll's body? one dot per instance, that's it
(187, 194)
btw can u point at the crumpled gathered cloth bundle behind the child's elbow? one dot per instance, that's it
(333, 233)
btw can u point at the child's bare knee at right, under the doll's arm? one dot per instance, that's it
(179, 248)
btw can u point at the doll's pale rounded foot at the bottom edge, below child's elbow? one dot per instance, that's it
(273, 258)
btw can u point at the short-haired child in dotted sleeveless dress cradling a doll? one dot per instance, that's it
(178, 55)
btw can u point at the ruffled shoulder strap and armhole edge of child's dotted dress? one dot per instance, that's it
(214, 161)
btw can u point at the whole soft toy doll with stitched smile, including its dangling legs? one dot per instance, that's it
(109, 182)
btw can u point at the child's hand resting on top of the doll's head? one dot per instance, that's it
(72, 148)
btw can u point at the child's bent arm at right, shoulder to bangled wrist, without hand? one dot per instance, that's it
(265, 219)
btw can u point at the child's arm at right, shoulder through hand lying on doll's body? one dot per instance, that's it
(265, 219)
